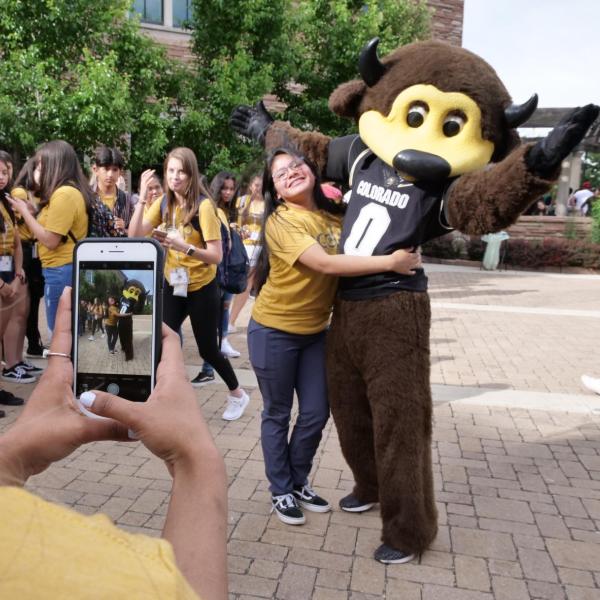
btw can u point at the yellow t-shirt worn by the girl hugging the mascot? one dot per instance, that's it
(297, 299)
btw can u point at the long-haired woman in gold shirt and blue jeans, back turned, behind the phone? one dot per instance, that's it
(63, 218)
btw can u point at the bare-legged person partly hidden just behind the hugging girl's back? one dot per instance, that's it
(250, 212)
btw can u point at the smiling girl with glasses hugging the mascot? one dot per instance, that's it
(296, 279)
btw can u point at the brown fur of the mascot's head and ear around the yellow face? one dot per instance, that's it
(450, 69)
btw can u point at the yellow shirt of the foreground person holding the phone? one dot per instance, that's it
(48, 551)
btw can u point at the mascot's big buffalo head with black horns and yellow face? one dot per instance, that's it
(431, 110)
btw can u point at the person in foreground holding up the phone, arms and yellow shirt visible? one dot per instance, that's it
(49, 551)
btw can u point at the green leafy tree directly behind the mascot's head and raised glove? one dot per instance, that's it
(299, 50)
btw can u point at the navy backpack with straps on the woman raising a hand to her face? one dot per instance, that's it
(232, 271)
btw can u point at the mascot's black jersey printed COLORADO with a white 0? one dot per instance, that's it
(385, 213)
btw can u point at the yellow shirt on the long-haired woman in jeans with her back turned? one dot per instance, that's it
(65, 212)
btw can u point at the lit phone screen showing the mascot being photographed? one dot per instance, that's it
(115, 319)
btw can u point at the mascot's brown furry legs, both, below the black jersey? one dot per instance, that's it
(381, 402)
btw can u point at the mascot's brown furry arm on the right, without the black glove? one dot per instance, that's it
(493, 199)
